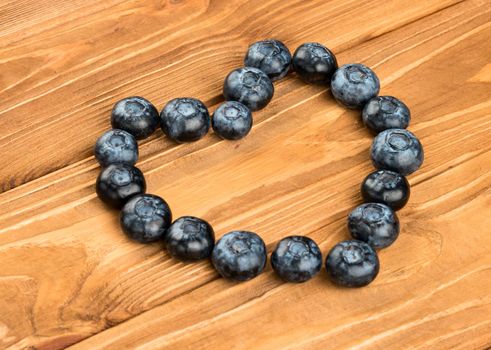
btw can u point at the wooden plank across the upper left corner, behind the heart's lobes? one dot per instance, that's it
(67, 77)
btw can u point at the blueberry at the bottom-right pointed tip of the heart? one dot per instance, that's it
(352, 264)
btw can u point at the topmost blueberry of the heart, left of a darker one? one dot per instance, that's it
(270, 56)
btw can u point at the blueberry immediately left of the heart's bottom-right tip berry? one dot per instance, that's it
(296, 259)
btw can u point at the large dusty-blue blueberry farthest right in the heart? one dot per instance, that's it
(397, 150)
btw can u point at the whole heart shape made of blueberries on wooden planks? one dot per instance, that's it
(241, 255)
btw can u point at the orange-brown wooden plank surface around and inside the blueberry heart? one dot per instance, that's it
(68, 277)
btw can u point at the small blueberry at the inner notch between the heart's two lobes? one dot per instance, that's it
(232, 120)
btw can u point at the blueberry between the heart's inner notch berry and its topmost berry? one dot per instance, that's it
(249, 86)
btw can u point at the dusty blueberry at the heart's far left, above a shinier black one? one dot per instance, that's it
(116, 146)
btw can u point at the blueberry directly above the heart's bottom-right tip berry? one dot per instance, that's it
(375, 224)
